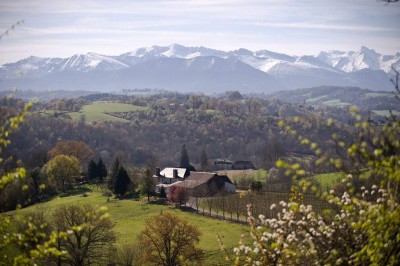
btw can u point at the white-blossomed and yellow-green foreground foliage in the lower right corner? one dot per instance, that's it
(362, 225)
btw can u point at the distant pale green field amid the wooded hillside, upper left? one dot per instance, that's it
(96, 112)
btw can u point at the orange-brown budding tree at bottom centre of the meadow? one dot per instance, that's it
(170, 241)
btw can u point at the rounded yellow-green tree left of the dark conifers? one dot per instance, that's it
(63, 170)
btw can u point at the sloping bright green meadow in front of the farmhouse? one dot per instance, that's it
(130, 217)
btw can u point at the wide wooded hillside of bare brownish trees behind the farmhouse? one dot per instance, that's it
(230, 126)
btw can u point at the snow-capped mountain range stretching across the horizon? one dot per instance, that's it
(201, 69)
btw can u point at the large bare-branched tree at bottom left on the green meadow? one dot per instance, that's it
(89, 235)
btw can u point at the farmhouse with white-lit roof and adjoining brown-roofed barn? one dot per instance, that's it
(199, 184)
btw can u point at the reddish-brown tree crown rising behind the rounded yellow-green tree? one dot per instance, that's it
(78, 149)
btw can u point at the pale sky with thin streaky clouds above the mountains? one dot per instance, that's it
(296, 27)
